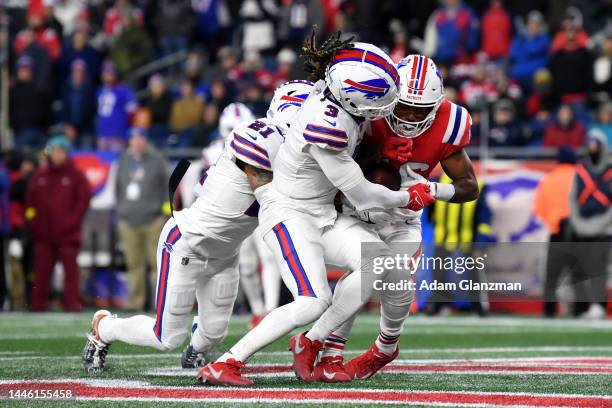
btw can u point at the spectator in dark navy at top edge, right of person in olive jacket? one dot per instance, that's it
(173, 20)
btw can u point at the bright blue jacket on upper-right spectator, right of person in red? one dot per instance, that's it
(528, 55)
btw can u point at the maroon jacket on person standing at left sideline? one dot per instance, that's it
(59, 197)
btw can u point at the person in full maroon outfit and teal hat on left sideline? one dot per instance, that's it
(56, 223)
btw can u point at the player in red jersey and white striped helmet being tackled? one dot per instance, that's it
(438, 130)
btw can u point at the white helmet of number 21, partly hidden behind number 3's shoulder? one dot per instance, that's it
(287, 99)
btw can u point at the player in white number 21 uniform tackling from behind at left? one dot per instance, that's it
(197, 252)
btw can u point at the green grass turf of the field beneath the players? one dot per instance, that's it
(48, 346)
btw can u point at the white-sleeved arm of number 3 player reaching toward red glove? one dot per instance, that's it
(346, 175)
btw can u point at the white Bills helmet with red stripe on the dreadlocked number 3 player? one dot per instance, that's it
(364, 80)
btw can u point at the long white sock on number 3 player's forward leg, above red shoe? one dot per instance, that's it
(276, 324)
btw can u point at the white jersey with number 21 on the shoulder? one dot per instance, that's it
(225, 212)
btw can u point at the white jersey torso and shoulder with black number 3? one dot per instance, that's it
(298, 178)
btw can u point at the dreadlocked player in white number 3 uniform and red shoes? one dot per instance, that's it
(298, 219)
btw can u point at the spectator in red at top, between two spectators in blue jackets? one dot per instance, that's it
(496, 31)
